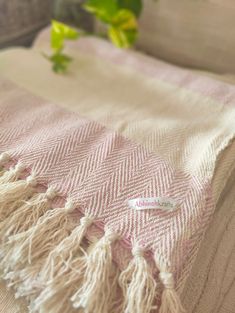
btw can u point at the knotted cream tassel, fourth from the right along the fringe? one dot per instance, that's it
(61, 257)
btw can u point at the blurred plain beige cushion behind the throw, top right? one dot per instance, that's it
(192, 33)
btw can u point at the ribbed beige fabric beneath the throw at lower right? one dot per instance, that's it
(211, 285)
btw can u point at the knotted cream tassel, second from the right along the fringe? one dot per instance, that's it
(138, 284)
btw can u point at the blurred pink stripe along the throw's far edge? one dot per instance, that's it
(183, 78)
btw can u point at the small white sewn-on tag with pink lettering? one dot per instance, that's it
(160, 203)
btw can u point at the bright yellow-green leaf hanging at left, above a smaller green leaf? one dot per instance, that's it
(60, 32)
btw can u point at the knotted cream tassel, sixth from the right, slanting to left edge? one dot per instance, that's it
(27, 214)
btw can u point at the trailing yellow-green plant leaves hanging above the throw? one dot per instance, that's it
(119, 16)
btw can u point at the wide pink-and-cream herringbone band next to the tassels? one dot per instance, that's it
(101, 170)
